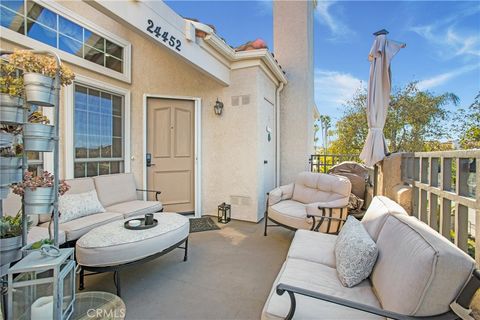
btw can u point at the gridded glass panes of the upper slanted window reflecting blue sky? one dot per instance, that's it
(37, 22)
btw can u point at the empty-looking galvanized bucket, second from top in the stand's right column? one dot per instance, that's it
(38, 137)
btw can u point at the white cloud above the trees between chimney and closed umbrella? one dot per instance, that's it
(333, 88)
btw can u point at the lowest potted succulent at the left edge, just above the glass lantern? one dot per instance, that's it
(11, 238)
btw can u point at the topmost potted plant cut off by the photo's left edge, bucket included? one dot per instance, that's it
(11, 91)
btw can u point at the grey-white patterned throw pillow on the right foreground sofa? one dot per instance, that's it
(355, 252)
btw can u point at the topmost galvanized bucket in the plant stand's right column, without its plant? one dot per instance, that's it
(39, 89)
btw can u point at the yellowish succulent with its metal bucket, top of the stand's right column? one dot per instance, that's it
(38, 76)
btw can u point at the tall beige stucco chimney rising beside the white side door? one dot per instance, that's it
(293, 48)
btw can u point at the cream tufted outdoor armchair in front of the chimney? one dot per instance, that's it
(315, 201)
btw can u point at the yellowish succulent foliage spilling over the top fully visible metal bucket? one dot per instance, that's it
(30, 62)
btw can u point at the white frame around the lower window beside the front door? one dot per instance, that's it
(69, 133)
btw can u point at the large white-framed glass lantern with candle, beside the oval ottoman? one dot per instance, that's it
(42, 287)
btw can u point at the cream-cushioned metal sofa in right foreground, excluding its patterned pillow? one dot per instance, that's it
(418, 273)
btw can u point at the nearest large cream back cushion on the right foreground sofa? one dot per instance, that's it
(418, 272)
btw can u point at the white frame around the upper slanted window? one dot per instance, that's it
(31, 43)
